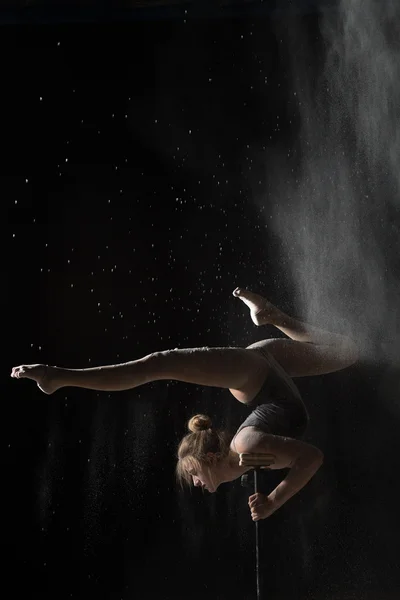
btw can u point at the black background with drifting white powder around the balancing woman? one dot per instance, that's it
(149, 168)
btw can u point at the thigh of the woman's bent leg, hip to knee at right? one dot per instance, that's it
(301, 359)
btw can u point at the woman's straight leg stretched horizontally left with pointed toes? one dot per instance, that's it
(219, 367)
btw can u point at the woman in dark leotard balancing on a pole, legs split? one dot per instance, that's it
(259, 376)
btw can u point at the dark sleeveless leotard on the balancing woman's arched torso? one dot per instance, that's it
(278, 408)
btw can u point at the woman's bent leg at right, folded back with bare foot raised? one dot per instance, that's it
(309, 351)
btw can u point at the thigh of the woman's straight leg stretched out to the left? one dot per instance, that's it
(235, 368)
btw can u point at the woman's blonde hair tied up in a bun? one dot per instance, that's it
(194, 447)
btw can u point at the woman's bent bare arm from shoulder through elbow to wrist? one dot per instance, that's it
(301, 458)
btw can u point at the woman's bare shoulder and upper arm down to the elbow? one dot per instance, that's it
(286, 450)
